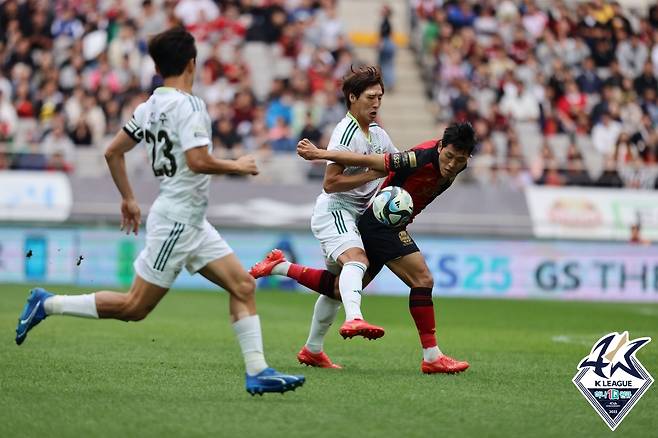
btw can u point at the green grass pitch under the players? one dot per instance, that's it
(179, 372)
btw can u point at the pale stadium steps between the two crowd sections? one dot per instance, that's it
(407, 114)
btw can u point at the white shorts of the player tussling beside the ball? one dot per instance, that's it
(336, 231)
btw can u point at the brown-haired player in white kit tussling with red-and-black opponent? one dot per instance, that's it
(347, 191)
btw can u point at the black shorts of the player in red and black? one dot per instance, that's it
(383, 243)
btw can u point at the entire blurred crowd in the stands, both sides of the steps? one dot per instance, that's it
(560, 93)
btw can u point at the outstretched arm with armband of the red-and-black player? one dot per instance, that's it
(381, 162)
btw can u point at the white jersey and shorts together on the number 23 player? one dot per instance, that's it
(169, 123)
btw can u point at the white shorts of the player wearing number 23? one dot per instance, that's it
(170, 245)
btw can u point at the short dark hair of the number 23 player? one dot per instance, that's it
(171, 50)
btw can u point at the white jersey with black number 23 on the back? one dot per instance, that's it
(169, 123)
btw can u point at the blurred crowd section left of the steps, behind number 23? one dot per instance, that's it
(72, 71)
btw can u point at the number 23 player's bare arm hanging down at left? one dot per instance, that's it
(115, 157)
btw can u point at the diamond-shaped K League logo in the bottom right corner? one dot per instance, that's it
(611, 378)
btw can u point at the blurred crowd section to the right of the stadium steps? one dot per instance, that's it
(560, 92)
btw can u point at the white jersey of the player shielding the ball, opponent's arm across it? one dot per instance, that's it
(348, 136)
